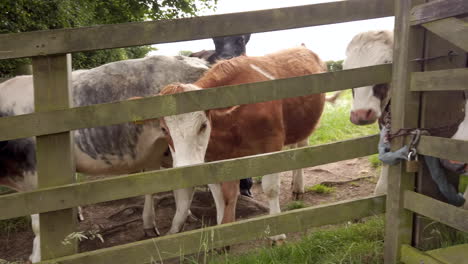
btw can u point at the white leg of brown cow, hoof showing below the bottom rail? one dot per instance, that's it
(271, 188)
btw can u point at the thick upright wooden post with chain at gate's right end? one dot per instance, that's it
(404, 106)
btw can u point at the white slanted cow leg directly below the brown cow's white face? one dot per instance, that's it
(183, 199)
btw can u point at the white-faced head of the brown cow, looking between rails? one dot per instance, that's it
(187, 134)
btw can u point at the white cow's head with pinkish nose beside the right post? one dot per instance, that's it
(366, 49)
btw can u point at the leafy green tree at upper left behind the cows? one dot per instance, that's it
(29, 15)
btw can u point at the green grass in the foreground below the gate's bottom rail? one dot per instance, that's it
(345, 244)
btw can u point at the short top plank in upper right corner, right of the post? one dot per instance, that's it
(437, 10)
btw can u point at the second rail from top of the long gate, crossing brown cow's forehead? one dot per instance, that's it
(43, 123)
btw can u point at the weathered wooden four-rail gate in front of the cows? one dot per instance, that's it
(54, 119)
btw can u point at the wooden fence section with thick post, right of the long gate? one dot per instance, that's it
(421, 98)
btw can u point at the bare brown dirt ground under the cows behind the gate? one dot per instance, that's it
(119, 222)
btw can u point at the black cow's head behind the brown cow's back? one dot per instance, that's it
(230, 46)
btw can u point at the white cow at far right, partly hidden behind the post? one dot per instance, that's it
(370, 102)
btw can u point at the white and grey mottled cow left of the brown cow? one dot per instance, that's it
(118, 149)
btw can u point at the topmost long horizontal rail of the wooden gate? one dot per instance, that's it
(143, 33)
